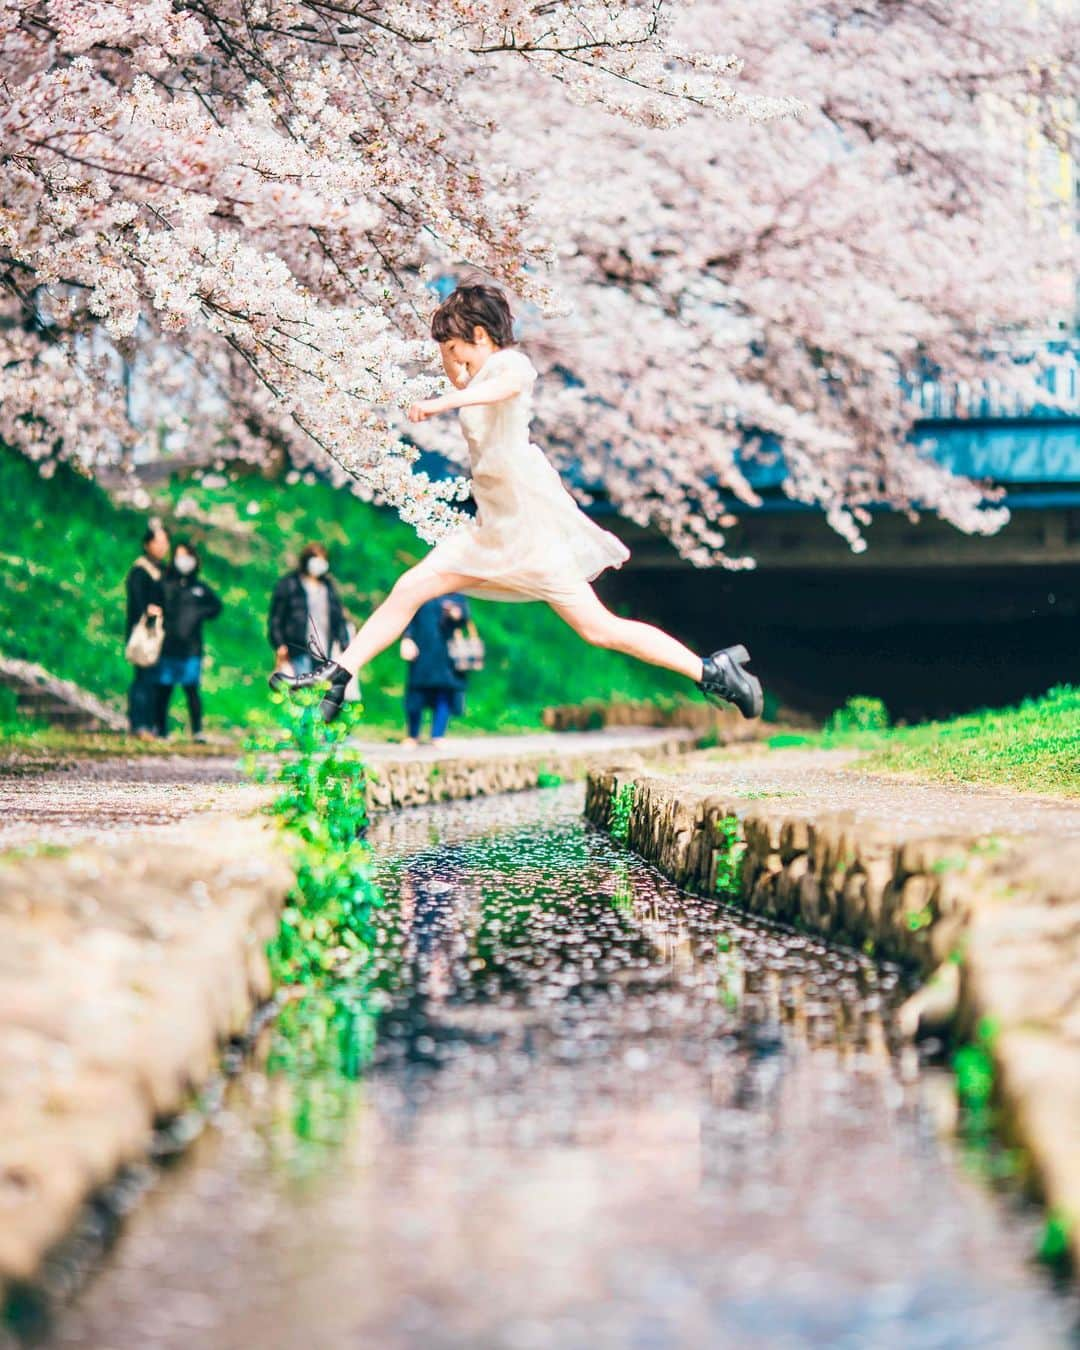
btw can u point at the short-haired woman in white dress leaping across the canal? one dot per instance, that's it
(530, 539)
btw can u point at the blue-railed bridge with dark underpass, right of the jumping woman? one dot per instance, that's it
(931, 620)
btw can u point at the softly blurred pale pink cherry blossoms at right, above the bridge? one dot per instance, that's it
(794, 284)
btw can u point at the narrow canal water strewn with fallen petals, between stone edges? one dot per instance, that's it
(599, 1113)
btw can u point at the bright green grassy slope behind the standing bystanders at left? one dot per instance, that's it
(65, 549)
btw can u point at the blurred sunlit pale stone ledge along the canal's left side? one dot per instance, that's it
(125, 973)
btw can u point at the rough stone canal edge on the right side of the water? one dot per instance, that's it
(992, 927)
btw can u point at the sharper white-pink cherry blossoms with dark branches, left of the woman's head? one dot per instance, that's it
(237, 202)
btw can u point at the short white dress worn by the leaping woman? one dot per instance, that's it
(530, 539)
